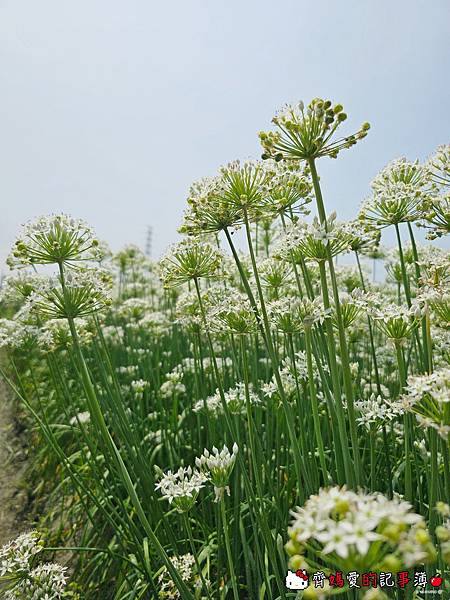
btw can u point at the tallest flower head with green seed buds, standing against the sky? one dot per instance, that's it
(308, 132)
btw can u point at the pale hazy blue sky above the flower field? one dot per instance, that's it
(110, 109)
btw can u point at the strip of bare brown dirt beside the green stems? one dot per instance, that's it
(13, 496)
